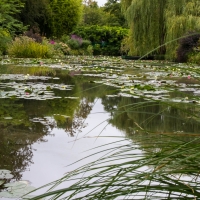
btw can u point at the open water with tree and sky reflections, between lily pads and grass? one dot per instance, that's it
(39, 138)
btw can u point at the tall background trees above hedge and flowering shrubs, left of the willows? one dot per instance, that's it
(56, 18)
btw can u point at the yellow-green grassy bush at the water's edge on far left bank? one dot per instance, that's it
(25, 47)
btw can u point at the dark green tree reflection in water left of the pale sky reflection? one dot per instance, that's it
(24, 122)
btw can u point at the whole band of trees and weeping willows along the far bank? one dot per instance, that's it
(154, 25)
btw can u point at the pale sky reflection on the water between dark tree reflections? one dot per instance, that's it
(51, 158)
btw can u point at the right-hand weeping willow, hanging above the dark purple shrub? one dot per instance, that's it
(182, 18)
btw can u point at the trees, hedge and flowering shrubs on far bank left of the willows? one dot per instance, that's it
(59, 20)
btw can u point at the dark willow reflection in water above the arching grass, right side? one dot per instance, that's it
(132, 115)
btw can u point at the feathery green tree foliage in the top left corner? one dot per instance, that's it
(7, 10)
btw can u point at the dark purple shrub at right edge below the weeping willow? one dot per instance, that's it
(186, 46)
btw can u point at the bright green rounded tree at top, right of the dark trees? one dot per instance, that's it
(65, 15)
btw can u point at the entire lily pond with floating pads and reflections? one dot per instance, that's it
(54, 111)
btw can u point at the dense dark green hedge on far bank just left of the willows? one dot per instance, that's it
(105, 40)
